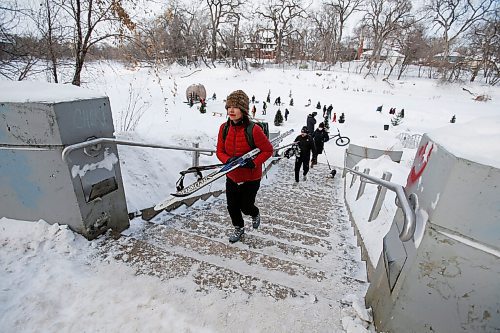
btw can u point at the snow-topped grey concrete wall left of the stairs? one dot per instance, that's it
(35, 183)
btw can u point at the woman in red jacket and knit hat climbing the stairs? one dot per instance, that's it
(242, 183)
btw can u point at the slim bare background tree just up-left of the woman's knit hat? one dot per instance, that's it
(220, 12)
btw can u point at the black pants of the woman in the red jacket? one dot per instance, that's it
(241, 199)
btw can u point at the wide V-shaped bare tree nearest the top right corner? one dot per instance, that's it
(455, 17)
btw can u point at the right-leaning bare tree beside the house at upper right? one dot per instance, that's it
(384, 18)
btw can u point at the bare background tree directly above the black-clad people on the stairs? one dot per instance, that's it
(282, 14)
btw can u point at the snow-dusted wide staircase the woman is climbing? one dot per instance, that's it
(303, 258)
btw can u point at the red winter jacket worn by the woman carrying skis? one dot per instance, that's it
(236, 145)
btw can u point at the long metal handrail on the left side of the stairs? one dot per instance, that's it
(96, 142)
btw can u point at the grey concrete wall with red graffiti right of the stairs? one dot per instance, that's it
(447, 278)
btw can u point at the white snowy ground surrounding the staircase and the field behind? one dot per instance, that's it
(50, 280)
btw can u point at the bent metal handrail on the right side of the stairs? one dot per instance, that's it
(409, 214)
